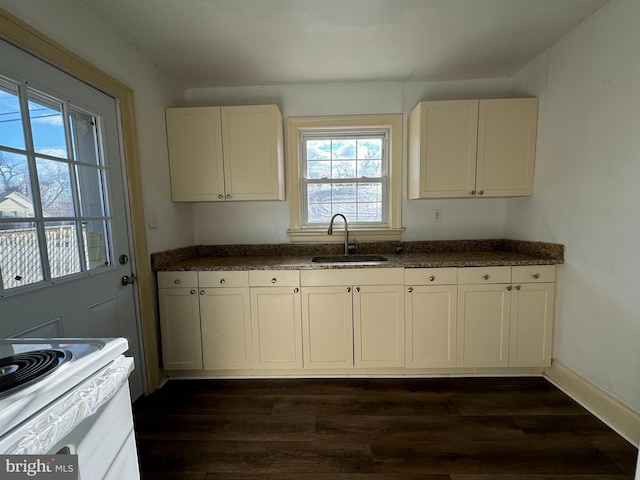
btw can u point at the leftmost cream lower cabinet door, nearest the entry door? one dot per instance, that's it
(180, 329)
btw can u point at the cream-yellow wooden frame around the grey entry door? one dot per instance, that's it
(20, 34)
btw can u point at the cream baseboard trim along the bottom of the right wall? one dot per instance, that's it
(611, 411)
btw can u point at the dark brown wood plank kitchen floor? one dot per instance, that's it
(374, 429)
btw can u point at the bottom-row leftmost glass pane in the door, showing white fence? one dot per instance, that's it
(20, 260)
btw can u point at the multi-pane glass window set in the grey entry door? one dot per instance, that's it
(53, 215)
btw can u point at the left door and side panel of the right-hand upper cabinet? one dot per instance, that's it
(442, 149)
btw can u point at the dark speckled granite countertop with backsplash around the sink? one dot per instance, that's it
(456, 253)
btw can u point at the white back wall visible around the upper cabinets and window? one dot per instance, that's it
(221, 223)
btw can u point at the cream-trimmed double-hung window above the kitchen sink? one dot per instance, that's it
(349, 165)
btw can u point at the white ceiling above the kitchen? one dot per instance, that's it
(266, 42)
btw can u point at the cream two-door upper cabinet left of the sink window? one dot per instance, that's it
(226, 153)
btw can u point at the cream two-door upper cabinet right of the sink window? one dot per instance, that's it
(466, 148)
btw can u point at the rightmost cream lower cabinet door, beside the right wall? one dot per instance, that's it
(531, 325)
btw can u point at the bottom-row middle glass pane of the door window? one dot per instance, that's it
(62, 249)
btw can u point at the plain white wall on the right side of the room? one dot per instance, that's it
(587, 193)
